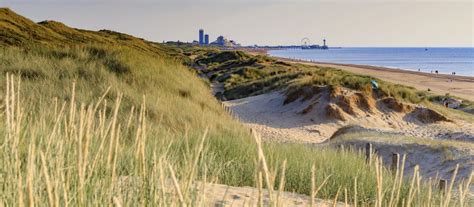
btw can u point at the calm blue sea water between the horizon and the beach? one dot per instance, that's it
(445, 60)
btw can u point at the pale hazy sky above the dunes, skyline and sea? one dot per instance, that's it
(270, 22)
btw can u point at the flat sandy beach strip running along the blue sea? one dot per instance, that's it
(441, 84)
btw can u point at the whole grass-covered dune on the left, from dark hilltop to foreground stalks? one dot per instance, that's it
(122, 121)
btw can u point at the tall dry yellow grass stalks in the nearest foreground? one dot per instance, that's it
(82, 160)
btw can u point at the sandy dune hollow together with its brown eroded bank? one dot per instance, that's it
(313, 120)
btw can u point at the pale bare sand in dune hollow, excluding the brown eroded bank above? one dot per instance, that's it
(284, 123)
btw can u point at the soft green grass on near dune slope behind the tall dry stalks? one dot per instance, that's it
(47, 78)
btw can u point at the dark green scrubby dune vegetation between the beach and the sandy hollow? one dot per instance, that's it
(245, 75)
